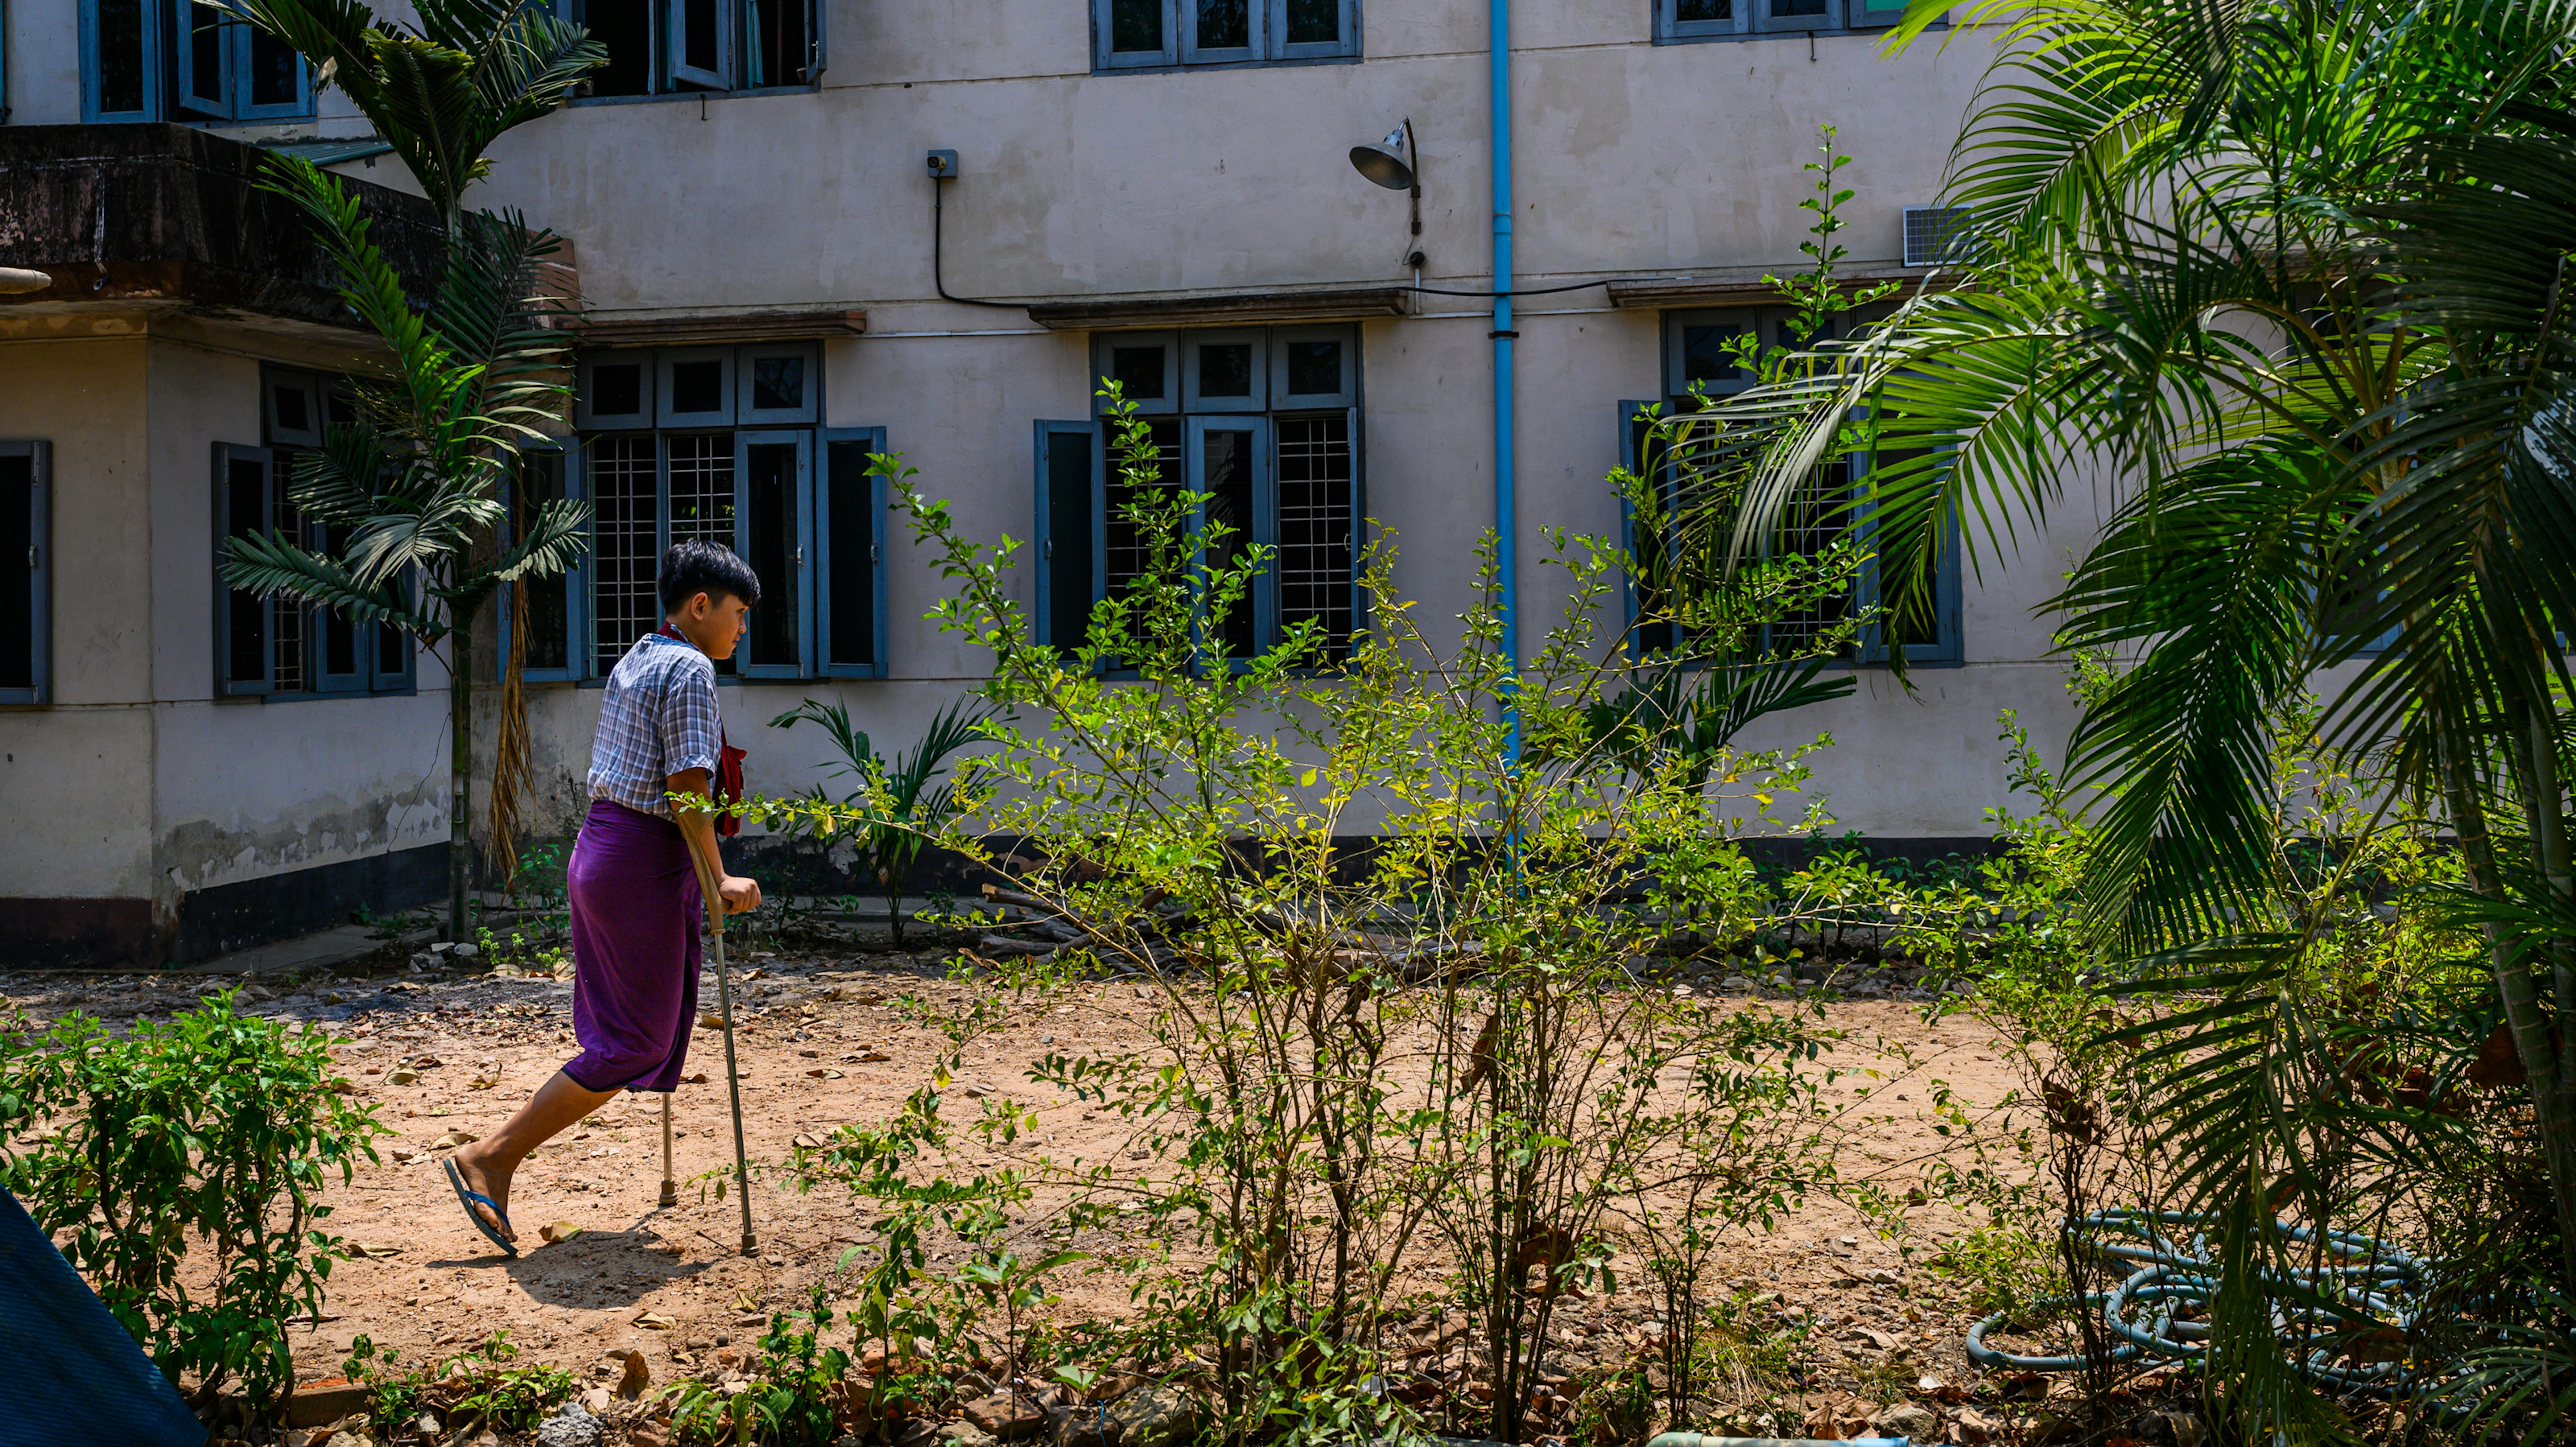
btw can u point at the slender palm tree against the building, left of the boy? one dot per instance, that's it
(419, 483)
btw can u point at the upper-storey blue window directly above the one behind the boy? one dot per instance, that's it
(694, 48)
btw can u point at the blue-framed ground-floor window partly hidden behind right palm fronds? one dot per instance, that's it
(1830, 511)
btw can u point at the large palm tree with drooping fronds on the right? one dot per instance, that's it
(2294, 277)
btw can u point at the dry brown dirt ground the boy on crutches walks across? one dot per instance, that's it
(823, 1041)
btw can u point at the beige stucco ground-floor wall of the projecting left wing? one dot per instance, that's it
(138, 781)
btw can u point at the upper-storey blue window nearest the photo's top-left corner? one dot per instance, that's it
(182, 61)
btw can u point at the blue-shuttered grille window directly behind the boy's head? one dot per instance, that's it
(723, 444)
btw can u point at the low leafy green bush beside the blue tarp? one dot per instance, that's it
(213, 1134)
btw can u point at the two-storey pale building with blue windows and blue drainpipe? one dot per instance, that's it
(810, 230)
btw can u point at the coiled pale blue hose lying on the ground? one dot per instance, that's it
(2163, 1309)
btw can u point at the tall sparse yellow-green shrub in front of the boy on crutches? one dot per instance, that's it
(1441, 1047)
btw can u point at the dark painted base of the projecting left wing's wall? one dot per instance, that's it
(71, 933)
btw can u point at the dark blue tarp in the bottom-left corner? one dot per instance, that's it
(68, 1371)
